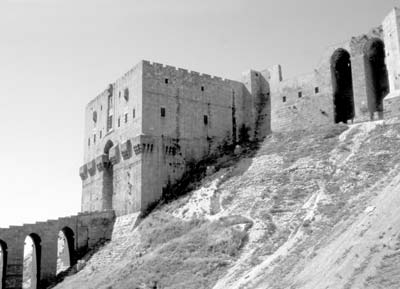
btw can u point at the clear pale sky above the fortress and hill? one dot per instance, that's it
(56, 55)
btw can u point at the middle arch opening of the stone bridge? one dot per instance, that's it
(31, 265)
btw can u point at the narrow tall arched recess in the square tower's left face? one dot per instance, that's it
(108, 174)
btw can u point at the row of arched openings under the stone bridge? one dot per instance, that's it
(32, 258)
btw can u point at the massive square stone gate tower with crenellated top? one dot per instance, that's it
(160, 118)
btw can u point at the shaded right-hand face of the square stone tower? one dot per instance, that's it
(182, 136)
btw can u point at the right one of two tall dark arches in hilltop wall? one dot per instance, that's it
(377, 81)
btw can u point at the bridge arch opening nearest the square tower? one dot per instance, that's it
(65, 250)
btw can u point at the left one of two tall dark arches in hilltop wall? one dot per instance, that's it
(342, 81)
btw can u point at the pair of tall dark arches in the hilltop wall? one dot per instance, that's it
(376, 75)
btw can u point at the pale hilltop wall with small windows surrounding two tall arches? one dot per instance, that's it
(316, 109)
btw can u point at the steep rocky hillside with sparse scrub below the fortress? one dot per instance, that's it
(306, 210)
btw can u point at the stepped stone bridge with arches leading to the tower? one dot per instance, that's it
(88, 228)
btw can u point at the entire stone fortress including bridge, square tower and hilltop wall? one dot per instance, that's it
(143, 131)
